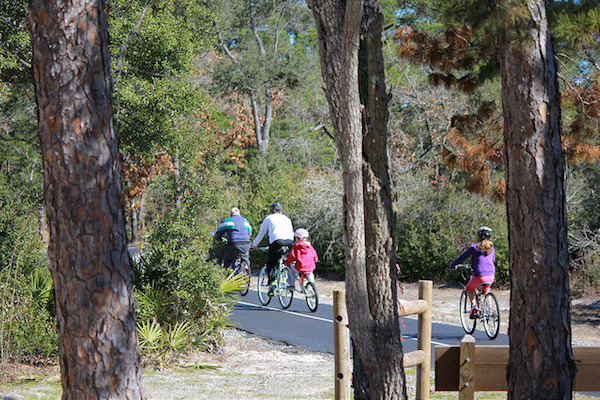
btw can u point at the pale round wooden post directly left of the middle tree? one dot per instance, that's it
(341, 346)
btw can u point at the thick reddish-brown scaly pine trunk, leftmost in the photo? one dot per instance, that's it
(90, 266)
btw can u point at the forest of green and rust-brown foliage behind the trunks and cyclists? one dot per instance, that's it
(221, 104)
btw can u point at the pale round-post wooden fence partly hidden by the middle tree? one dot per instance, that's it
(421, 358)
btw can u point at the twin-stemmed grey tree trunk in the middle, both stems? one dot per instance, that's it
(368, 219)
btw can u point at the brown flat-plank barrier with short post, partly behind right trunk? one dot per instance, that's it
(469, 368)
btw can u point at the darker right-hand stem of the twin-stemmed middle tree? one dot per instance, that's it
(379, 217)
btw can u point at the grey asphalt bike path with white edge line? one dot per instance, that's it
(314, 331)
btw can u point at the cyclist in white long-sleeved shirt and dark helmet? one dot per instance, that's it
(281, 234)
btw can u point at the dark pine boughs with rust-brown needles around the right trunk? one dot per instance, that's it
(459, 42)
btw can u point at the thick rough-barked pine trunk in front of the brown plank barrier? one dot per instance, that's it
(541, 362)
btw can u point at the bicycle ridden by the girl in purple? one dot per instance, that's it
(489, 311)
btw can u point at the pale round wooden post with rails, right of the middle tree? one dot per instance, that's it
(424, 341)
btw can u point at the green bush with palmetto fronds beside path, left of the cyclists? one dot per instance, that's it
(175, 284)
